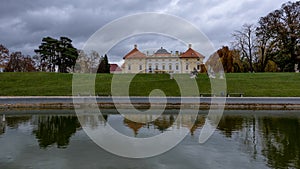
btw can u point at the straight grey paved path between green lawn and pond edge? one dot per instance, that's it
(171, 100)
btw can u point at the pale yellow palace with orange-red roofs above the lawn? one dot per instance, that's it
(162, 61)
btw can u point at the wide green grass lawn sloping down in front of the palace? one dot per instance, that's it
(56, 84)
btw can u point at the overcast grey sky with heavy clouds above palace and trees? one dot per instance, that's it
(24, 23)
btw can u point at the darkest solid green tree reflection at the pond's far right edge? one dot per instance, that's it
(281, 143)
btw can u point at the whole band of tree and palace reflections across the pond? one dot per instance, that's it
(273, 139)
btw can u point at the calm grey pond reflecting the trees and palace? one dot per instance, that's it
(243, 139)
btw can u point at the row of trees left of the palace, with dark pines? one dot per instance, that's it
(53, 55)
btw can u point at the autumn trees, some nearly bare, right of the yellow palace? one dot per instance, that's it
(271, 45)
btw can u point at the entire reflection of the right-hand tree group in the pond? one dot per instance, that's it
(277, 138)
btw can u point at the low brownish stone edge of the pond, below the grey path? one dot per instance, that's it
(40, 104)
